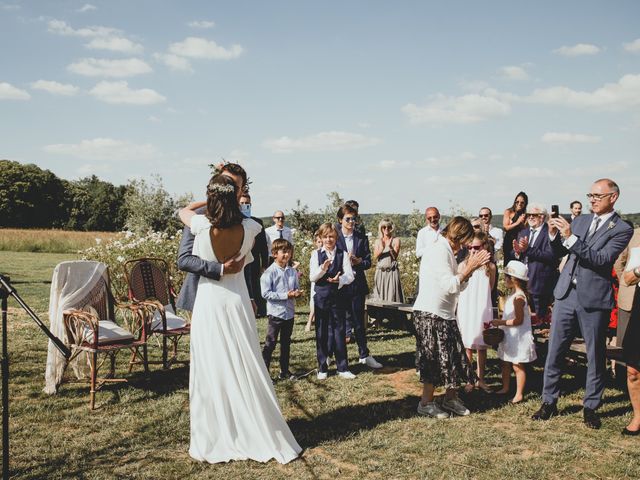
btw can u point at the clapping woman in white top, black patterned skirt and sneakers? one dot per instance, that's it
(443, 361)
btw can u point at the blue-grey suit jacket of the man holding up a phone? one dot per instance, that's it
(591, 261)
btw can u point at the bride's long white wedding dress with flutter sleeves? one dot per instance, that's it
(234, 410)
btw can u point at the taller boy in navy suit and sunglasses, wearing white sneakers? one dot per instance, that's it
(357, 246)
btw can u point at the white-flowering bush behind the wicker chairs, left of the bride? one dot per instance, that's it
(128, 246)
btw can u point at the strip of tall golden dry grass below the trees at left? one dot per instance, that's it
(50, 241)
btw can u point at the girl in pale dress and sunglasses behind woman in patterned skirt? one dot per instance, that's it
(475, 309)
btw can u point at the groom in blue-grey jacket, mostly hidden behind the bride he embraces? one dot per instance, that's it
(194, 265)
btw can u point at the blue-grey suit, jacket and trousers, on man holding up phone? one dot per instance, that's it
(584, 299)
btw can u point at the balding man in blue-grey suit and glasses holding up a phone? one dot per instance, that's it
(584, 295)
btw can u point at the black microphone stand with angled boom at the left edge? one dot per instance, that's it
(7, 289)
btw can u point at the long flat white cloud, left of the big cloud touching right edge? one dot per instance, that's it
(471, 108)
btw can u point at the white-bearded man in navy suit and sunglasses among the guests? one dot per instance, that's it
(533, 247)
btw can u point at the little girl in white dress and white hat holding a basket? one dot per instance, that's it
(518, 346)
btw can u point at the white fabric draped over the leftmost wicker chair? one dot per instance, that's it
(71, 283)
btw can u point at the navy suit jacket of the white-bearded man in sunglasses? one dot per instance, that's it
(541, 261)
